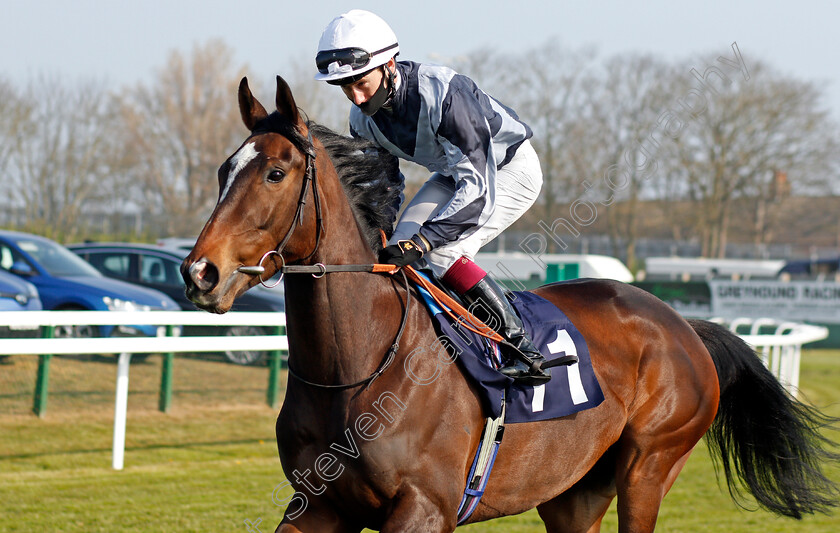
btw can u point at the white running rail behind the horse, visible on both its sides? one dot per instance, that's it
(781, 351)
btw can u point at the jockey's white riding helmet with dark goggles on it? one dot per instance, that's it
(352, 45)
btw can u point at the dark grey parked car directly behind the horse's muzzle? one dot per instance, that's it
(158, 267)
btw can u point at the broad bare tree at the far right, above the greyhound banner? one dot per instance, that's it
(757, 135)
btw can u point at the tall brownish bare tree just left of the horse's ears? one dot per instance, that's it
(179, 129)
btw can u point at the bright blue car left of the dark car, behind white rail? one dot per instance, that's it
(65, 282)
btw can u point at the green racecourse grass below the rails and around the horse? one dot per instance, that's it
(209, 466)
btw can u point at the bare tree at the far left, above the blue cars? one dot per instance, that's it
(61, 154)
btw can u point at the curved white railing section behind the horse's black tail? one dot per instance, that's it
(781, 350)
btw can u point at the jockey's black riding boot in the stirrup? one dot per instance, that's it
(526, 361)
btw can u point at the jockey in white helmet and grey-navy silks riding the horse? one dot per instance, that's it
(485, 174)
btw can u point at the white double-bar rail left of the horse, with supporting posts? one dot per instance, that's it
(125, 346)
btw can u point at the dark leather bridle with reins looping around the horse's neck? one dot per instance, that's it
(319, 270)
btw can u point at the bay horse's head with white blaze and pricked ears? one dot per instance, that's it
(260, 188)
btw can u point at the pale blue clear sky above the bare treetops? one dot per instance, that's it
(122, 42)
